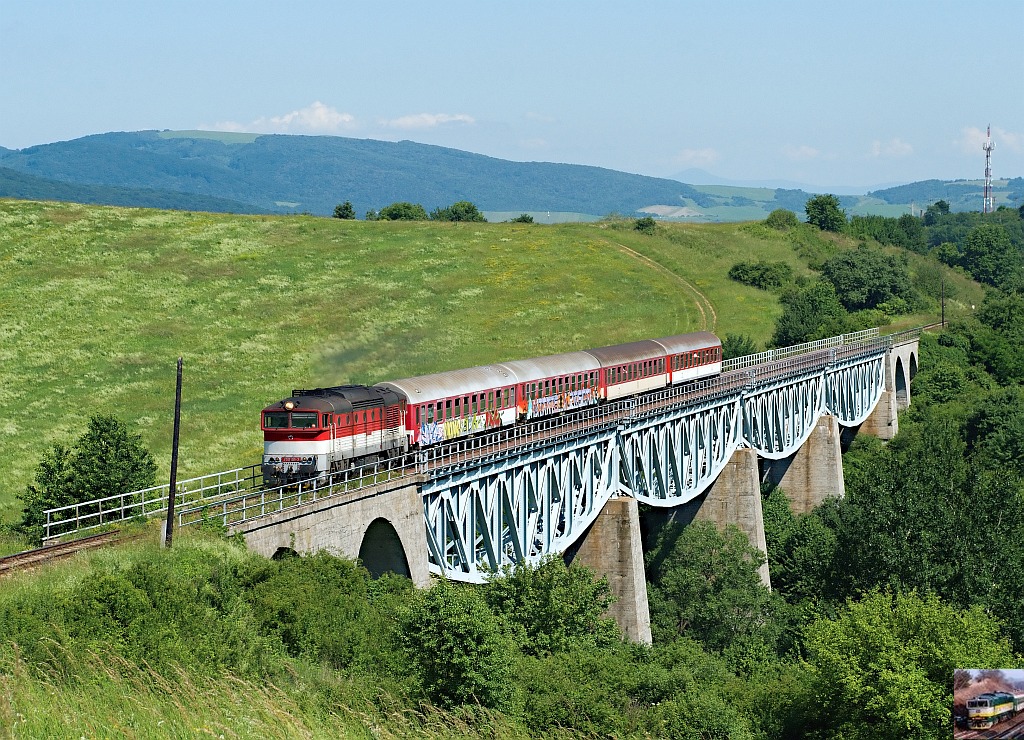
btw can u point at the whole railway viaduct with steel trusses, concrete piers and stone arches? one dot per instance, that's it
(574, 486)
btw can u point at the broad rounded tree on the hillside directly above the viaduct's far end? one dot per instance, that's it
(868, 278)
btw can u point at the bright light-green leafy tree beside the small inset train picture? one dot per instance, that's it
(882, 668)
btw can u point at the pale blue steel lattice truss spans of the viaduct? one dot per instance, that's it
(527, 505)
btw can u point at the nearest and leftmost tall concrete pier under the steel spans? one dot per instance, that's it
(612, 548)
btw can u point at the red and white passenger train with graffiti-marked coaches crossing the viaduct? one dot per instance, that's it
(323, 430)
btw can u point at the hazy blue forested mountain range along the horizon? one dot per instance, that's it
(252, 173)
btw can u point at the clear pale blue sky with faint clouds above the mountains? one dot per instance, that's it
(828, 95)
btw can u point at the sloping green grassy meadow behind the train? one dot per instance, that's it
(98, 304)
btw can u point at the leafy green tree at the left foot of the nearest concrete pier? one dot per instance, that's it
(559, 608)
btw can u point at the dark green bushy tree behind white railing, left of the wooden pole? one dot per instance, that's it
(106, 461)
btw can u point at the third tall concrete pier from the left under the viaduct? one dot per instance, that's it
(816, 471)
